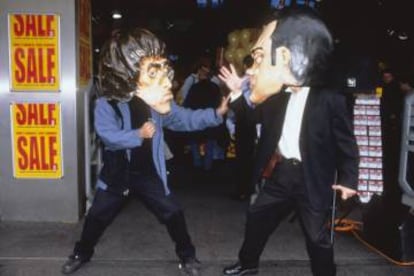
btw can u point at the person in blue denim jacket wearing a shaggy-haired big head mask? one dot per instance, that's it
(135, 79)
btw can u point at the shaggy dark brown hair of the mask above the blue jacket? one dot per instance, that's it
(120, 58)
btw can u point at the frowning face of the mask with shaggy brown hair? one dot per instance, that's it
(154, 83)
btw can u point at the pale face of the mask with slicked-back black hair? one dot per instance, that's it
(266, 79)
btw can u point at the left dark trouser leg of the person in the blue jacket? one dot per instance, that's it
(104, 209)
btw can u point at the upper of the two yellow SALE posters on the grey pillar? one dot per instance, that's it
(34, 52)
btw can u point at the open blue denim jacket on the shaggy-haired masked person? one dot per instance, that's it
(109, 128)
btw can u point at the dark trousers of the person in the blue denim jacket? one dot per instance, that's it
(150, 190)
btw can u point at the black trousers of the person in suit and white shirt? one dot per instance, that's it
(284, 192)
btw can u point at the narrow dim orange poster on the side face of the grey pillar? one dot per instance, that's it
(85, 50)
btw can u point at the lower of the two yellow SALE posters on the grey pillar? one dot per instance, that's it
(36, 138)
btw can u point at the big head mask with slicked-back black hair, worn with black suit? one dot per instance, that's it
(292, 50)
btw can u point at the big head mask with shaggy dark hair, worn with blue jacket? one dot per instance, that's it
(135, 61)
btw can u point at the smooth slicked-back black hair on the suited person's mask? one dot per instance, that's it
(309, 41)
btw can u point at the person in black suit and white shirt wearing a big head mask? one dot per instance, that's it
(306, 129)
